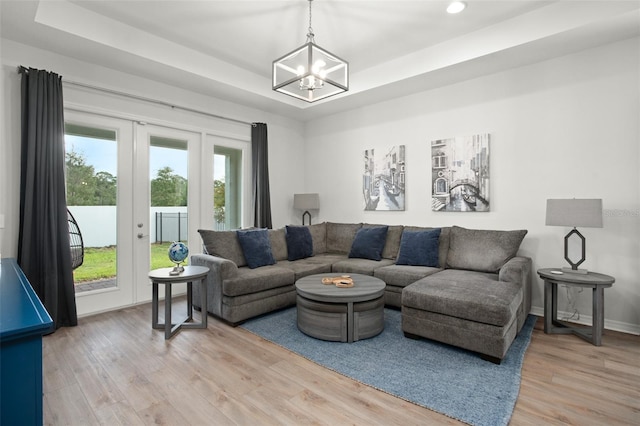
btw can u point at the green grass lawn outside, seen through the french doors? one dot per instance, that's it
(100, 262)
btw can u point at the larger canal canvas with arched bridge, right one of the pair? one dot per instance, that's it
(460, 174)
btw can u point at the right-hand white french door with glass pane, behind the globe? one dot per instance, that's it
(166, 163)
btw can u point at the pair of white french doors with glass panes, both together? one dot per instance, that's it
(133, 188)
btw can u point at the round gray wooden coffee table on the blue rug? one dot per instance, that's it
(340, 314)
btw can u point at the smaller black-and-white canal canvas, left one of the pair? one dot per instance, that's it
(383, 181)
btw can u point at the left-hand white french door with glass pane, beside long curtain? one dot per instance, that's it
(98, 165)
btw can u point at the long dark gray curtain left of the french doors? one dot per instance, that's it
(43, 242)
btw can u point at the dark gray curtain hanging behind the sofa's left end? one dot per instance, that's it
(260, 176)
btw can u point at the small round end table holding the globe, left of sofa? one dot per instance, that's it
(163, 276)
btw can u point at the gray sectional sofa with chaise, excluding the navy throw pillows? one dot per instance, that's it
(476, 296)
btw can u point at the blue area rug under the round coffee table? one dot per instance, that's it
(451, 381)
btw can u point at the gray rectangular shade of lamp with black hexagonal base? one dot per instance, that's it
(575, 212)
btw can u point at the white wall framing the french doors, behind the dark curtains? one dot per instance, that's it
(285, 136)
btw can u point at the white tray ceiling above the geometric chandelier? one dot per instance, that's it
(394, 47)
